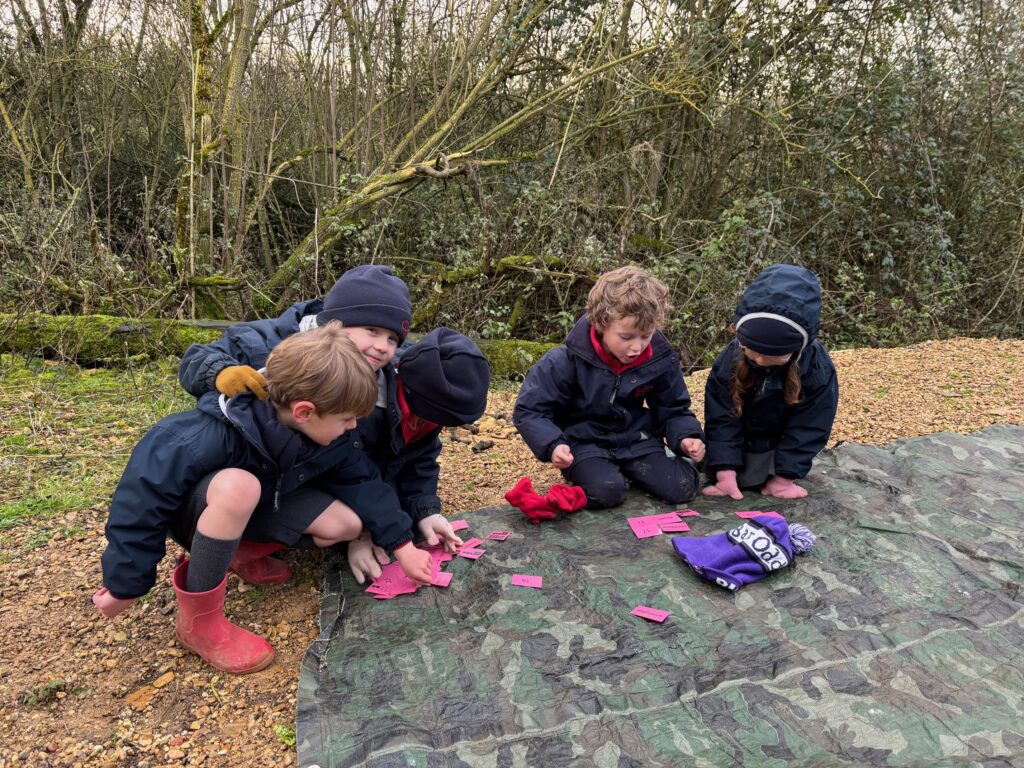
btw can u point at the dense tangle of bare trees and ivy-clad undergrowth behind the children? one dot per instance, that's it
(225, 159)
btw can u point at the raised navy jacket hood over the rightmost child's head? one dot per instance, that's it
(785, 292)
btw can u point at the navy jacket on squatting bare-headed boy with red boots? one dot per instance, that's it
(183, 449)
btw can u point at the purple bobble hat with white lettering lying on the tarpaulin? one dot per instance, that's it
(749, 552)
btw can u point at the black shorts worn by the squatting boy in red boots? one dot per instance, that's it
(295, 514)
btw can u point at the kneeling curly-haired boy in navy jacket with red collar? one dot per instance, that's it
(603, 407)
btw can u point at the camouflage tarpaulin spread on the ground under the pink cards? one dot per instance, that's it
(899, 641)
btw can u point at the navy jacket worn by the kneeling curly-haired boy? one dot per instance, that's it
(572, 397)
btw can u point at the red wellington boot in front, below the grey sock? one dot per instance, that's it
(203, 629)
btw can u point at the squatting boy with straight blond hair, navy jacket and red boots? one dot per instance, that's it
(216, 475)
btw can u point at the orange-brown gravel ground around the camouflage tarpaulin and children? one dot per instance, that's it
(76, 690)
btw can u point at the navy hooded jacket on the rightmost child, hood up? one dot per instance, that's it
(796, 433)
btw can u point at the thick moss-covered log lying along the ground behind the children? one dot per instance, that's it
(99, 339)
